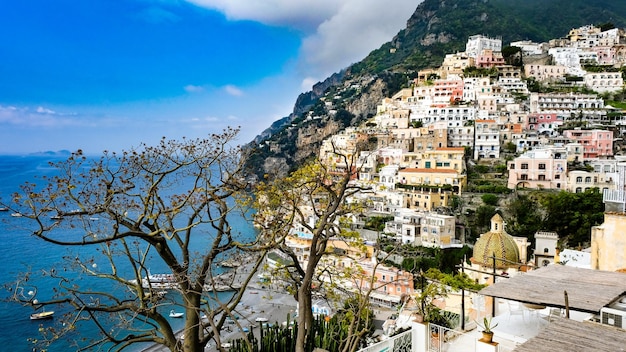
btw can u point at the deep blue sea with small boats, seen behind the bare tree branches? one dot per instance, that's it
(21, 252)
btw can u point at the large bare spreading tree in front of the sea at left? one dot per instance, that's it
(170, 206)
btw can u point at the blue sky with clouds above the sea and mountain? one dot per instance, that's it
(111, 74)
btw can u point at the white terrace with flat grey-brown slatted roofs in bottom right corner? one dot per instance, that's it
(531, 316)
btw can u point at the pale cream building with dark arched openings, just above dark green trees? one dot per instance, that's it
(539, 168)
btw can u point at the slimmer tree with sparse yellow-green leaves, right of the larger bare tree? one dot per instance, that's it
(315, 199)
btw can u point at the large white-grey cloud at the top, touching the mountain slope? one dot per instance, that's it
(337, 33)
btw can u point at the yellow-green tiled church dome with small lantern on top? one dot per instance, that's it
(496, 243)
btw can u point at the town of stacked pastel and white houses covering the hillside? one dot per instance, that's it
(482, 108)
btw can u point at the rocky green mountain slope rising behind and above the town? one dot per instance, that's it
(437, 27)
